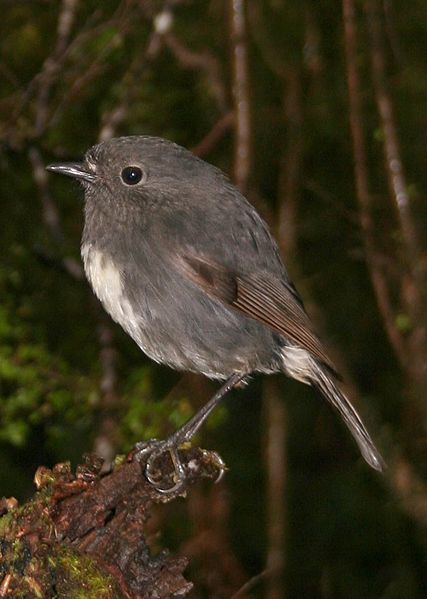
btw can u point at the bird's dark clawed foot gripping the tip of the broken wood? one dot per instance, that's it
(170, 467)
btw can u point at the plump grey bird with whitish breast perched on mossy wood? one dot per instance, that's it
(184, 263)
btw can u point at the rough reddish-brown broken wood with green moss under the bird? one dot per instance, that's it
(83, 534)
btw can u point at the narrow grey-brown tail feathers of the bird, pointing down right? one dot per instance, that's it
(323, 381)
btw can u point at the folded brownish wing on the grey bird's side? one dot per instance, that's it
(260, 296)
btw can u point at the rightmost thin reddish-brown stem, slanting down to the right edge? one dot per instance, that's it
(411, 251)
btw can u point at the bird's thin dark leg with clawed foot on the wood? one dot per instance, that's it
(156, 448)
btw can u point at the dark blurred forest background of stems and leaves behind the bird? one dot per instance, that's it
(317, 110)
